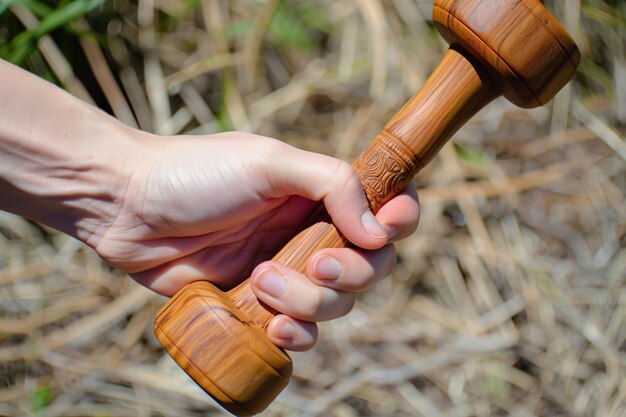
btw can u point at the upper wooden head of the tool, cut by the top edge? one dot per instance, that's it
(524, 48)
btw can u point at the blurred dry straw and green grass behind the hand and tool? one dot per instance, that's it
(509, 300)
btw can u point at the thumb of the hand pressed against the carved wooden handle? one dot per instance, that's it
(291, 171)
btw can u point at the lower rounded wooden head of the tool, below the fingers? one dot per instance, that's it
(211, 339)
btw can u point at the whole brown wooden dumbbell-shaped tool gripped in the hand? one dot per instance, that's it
(514, 48)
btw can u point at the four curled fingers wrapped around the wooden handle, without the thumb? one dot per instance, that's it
(333, 278)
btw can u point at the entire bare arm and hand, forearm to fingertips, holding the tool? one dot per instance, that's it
(172, 210)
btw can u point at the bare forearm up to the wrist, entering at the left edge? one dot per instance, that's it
(62, 162)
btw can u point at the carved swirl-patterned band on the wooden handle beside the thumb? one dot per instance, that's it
(386, 168)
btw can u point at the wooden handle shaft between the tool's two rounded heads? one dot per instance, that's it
(454, 93)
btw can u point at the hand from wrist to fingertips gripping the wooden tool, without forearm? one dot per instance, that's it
(212, 208)
